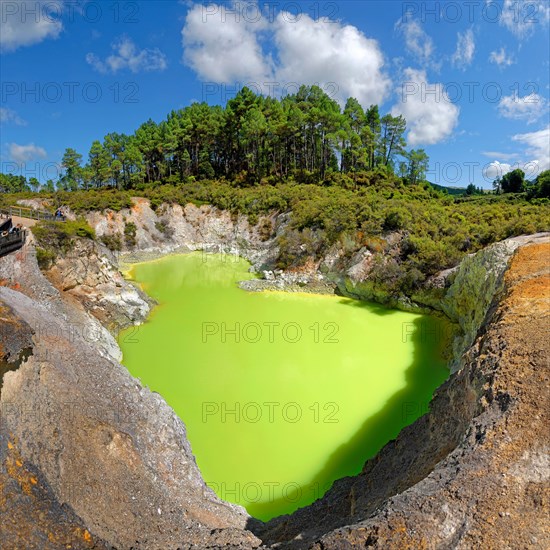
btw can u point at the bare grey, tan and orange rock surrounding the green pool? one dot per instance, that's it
(90, 459)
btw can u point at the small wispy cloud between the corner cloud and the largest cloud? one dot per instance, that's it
(128, 56)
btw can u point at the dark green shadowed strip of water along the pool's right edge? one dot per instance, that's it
(426, 373)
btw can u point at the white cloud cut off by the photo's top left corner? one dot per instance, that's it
(24, 23)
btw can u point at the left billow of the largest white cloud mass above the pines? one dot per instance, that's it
(223, 49)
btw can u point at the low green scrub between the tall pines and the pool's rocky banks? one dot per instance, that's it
(356, 210)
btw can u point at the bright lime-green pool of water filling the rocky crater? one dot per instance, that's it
(304, 391)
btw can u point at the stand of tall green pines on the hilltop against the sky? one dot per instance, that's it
(252, 138)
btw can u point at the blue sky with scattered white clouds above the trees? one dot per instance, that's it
(472, 79)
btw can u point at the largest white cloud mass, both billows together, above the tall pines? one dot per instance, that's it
(339, 58)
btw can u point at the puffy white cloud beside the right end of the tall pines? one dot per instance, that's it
(431, 116)
